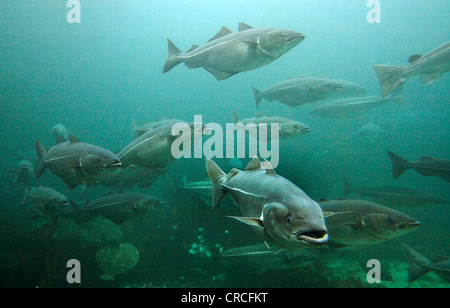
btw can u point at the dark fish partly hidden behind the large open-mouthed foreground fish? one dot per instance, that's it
(356, 223)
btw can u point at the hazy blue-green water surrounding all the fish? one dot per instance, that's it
(101, 75)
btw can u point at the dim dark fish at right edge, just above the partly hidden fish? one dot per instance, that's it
(394, 196)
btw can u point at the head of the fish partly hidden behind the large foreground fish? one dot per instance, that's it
(387, 226)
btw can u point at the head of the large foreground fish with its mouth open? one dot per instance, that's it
(294, 226)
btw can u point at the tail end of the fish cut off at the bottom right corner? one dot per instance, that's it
(420, 265)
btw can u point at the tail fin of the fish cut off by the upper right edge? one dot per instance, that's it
(391, 78)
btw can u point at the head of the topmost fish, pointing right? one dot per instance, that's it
(277, 42)
